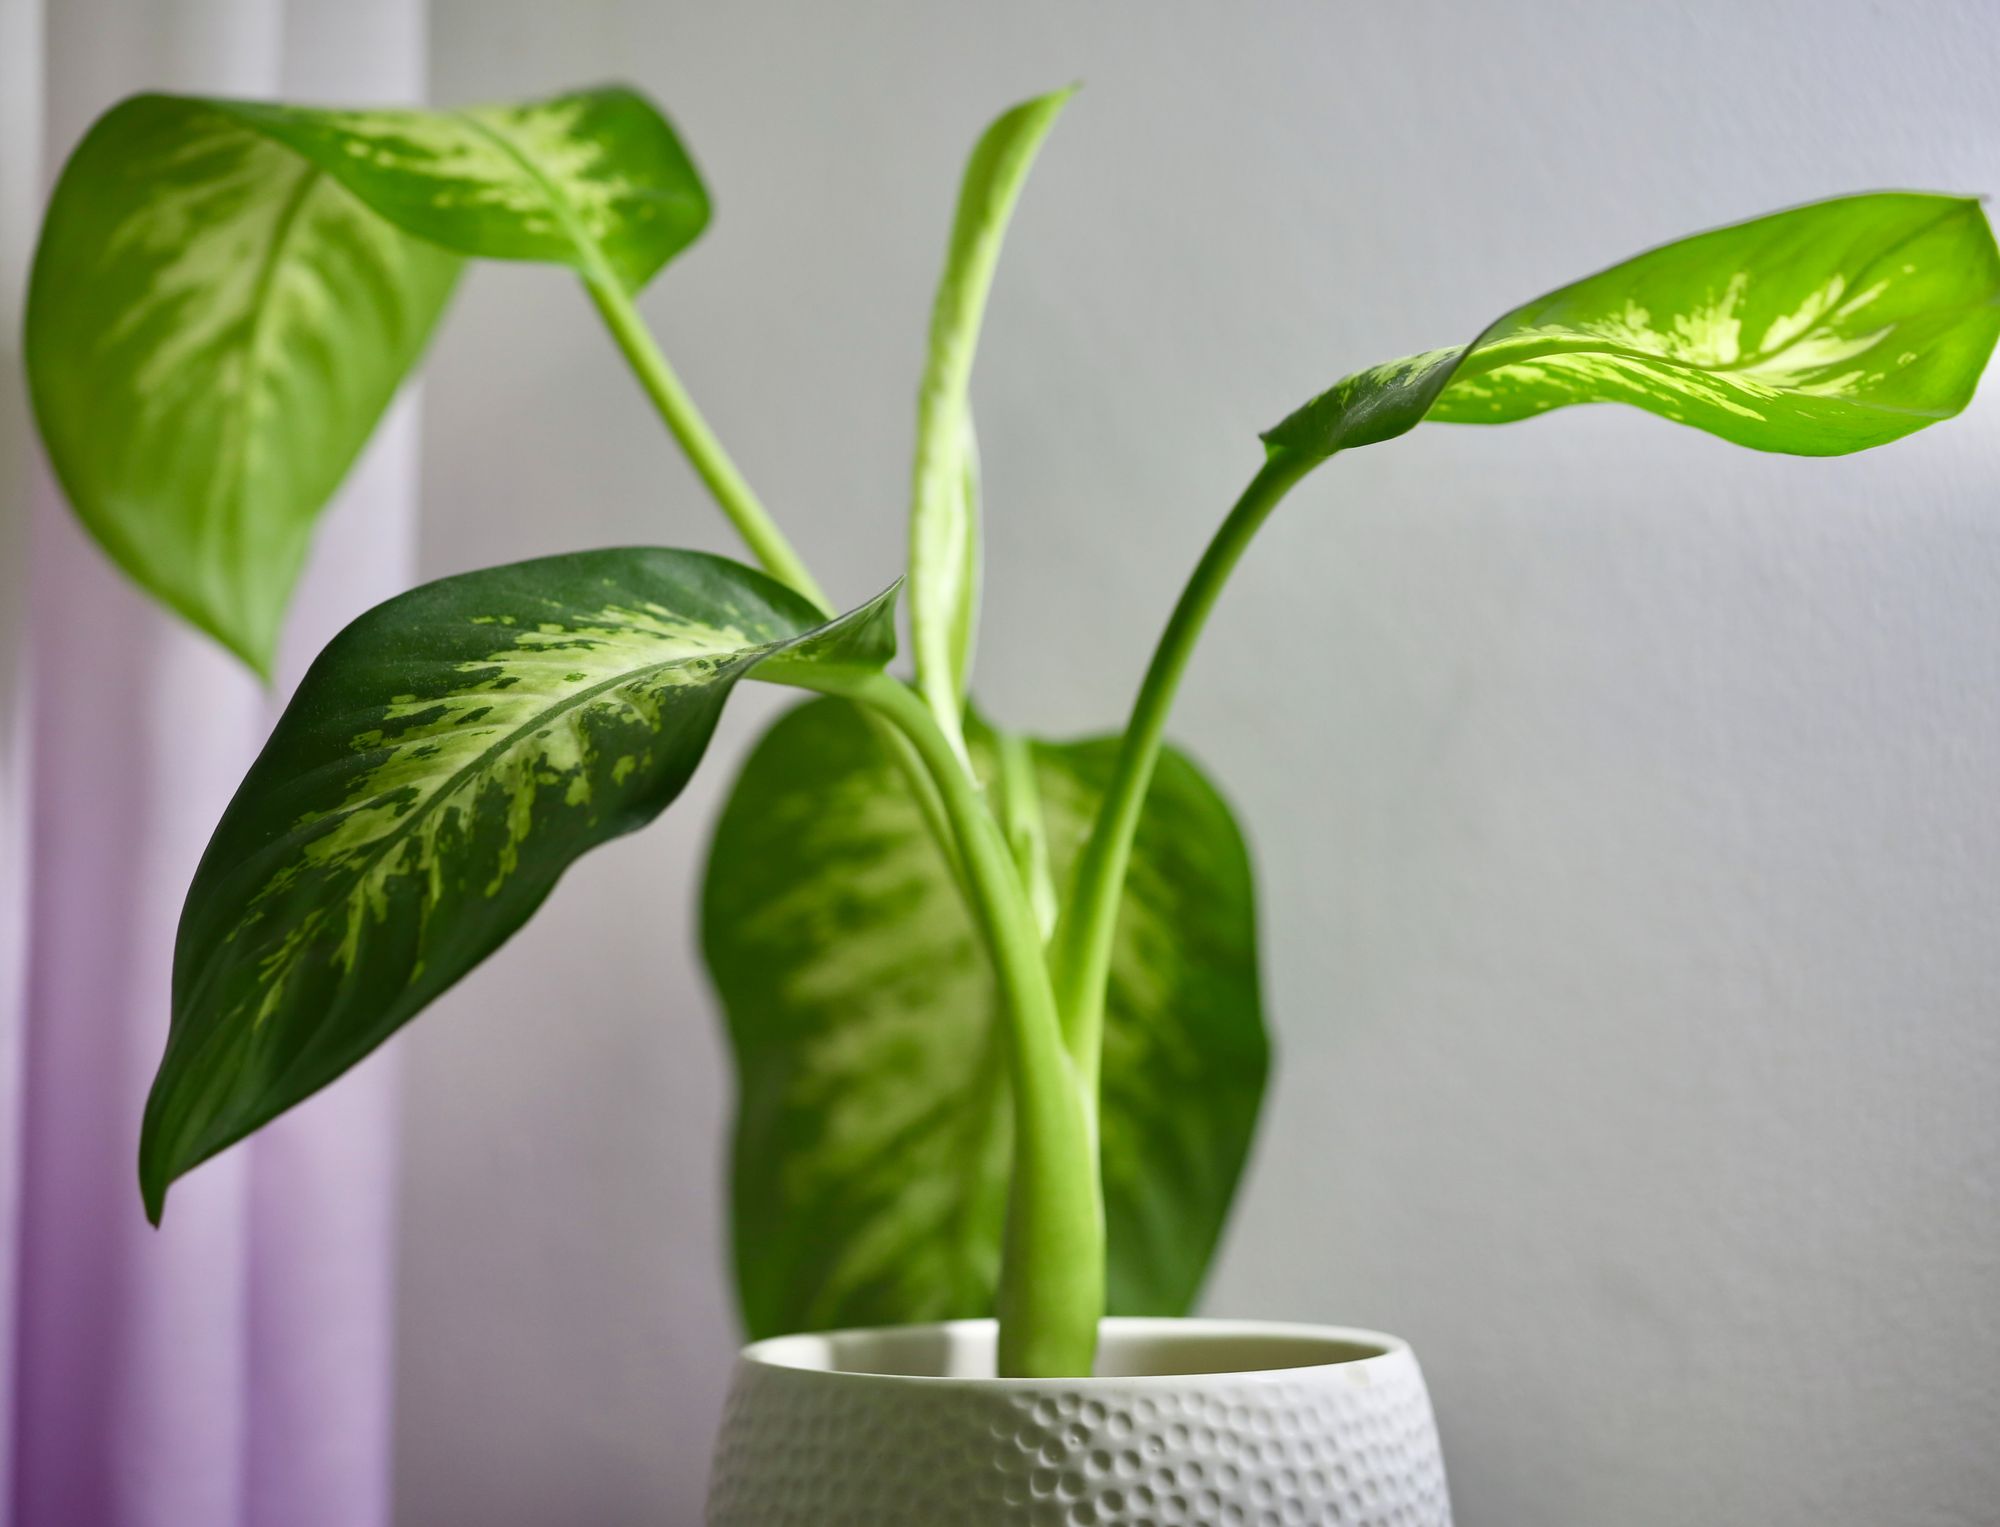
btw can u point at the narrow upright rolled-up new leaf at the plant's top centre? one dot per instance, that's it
(945, 537)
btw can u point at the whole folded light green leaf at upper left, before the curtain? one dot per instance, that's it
(227, 297)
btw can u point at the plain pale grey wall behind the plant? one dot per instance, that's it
(1625, 802)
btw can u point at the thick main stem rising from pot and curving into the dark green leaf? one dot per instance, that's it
(1053, 1256)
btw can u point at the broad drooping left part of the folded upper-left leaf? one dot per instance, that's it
(213, 333)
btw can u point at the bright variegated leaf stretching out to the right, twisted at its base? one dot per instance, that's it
(1821, 331)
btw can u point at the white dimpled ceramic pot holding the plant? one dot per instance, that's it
(1187, 1424)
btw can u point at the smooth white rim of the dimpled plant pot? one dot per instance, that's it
(815, 1354)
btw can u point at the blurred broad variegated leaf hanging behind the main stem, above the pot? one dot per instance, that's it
(873, 1130)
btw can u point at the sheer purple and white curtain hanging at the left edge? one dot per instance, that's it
(235, 1368)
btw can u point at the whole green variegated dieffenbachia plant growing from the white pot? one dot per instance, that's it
(995, 1000)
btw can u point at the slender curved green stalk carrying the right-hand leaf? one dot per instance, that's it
(1081, 952)
